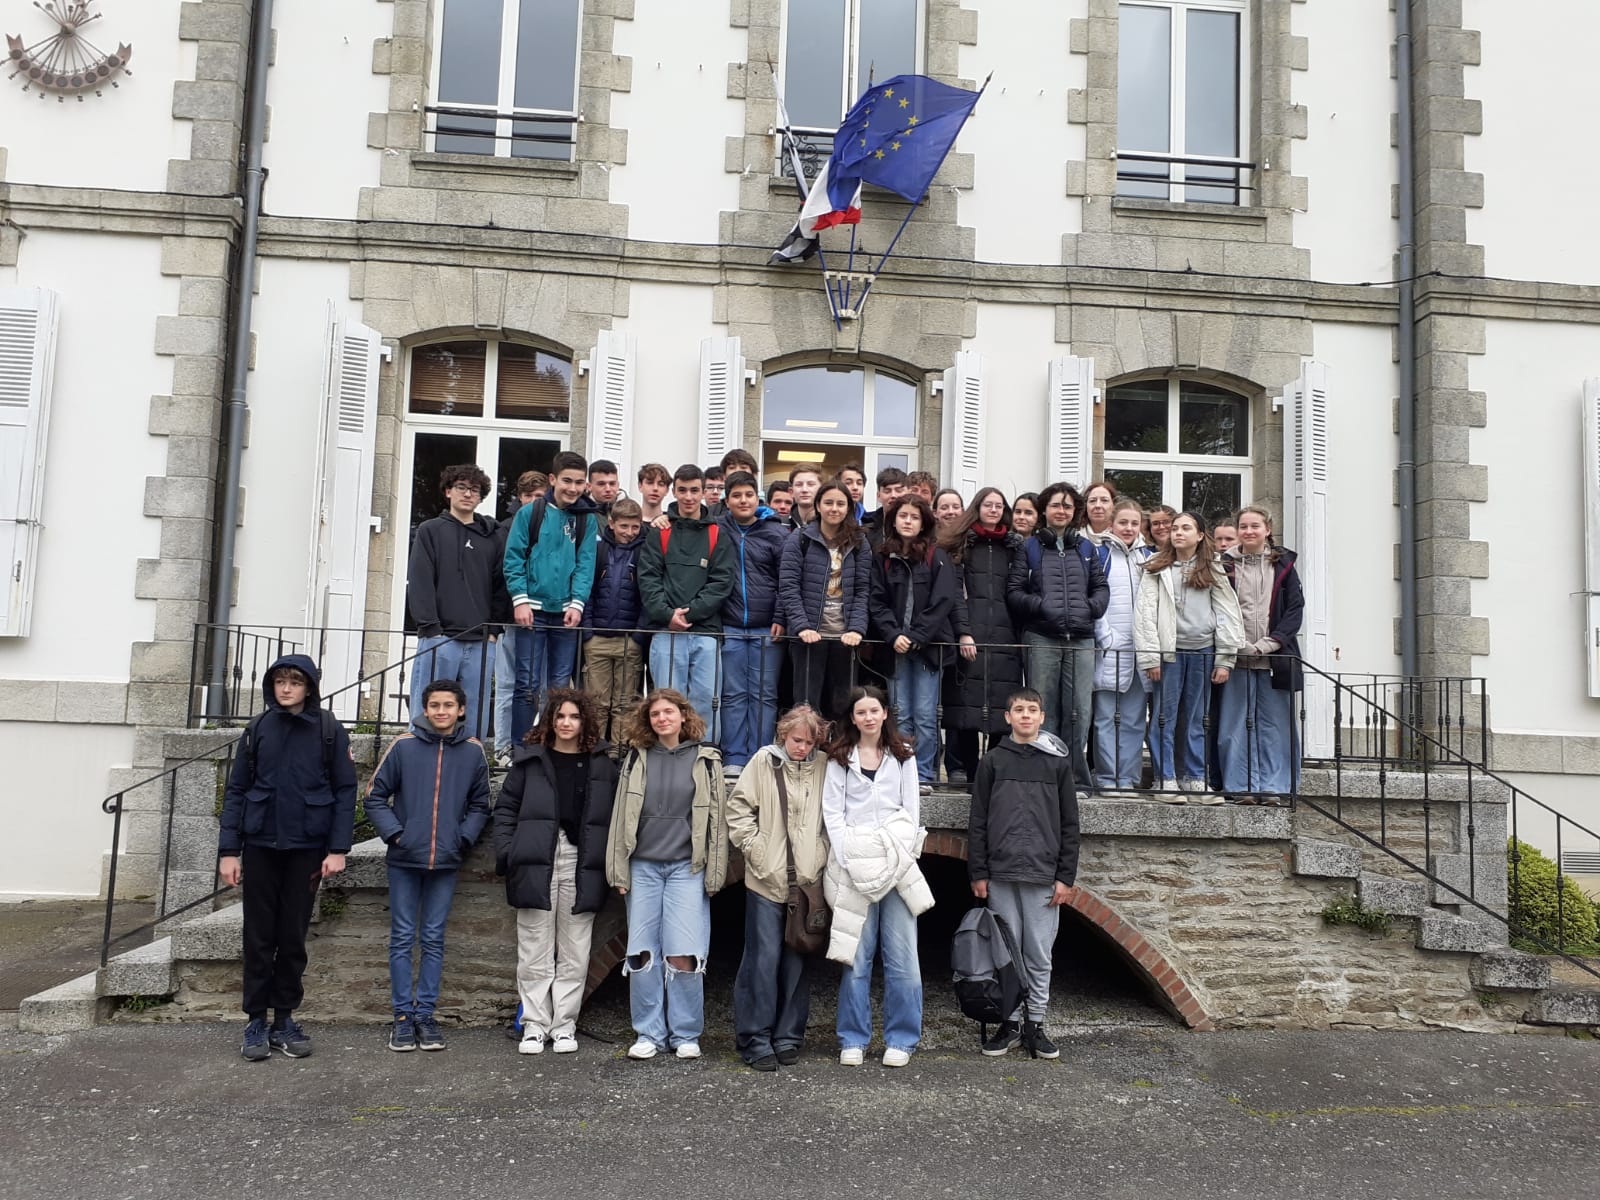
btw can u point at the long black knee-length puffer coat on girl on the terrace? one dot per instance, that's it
(975, 692)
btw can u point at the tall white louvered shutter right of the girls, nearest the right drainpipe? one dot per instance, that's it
(1305, 530)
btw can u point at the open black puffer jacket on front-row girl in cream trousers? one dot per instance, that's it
(527, 822)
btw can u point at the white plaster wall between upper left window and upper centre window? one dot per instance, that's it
(679, 118)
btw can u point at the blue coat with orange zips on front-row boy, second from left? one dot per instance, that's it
(430, 798)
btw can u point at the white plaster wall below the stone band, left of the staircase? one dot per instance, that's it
(55, 778)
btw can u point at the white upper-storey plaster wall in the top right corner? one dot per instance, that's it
(1538, 102)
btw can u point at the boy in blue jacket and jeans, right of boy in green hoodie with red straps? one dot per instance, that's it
(751, 655)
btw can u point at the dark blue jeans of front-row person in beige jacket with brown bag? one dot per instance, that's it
(772, 994)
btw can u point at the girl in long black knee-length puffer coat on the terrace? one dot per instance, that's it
(990, 666)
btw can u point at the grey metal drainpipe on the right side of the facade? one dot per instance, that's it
(1407, 345)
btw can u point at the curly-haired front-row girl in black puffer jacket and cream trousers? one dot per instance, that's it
(551, 828)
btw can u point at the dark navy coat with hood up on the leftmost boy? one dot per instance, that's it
(279, 793)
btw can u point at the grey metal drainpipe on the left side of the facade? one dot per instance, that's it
(244, 302)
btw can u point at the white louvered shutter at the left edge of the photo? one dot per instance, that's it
(28, 353)
